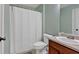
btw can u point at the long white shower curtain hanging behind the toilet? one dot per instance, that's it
(26, 29)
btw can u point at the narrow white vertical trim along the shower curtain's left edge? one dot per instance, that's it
(12, 48)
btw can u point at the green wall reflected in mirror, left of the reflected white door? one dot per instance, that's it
(66, 18)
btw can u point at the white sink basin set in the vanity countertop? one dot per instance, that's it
(68, 41)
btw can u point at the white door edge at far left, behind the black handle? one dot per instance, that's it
(2, 28)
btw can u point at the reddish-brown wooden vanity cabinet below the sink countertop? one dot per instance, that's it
(56, 48)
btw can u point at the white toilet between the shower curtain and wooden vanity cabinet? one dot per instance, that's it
(42, 47)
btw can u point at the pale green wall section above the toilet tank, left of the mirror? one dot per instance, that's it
(52, 13)
